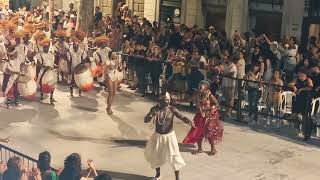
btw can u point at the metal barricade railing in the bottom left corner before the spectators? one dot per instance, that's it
(6, 153)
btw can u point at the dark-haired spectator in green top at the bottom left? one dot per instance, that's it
(44, 161)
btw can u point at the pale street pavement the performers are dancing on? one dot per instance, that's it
(116, 143)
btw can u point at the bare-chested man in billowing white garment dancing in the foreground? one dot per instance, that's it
(163, 145)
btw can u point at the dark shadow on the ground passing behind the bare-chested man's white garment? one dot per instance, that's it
(142, 144)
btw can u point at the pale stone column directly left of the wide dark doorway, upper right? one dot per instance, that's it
(237, 16)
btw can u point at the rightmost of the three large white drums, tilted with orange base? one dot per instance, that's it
(83, 78)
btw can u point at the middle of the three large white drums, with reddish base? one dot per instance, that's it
(48, 79)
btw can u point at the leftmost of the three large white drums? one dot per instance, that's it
(27, 86)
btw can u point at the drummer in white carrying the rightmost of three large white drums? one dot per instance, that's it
(76, 56)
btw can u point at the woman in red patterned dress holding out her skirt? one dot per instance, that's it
(207, 121)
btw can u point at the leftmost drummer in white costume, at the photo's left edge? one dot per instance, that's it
(12, 71)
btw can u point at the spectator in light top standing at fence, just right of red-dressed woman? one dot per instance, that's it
(228, 84)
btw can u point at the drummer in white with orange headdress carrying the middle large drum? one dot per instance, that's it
(45, 61)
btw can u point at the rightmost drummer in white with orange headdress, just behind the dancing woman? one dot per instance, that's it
(101, 56)
